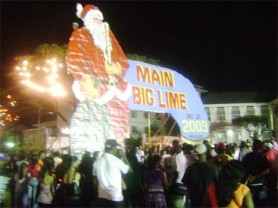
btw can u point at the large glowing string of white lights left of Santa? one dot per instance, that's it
(41, 78)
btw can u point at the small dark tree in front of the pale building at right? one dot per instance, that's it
(255, 125)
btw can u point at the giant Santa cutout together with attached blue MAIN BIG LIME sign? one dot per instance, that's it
(108, 86)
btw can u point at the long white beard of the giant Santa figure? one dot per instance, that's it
(99, 34)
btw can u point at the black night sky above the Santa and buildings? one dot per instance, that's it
(222, 46)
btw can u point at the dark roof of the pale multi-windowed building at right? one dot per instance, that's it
(236, 97)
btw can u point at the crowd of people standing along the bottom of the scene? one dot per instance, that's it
(180, 175)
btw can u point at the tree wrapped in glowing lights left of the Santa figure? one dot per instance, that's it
(39, 66)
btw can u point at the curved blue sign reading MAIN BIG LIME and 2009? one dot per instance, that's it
(158, 89)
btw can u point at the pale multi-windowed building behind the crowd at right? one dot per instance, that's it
(222, 108)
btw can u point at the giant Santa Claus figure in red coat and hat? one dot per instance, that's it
(98, 65)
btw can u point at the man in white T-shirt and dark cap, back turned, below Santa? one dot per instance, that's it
(107, 171)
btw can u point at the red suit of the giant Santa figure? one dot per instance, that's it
(85, 58)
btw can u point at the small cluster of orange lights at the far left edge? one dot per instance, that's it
(6, 107)
